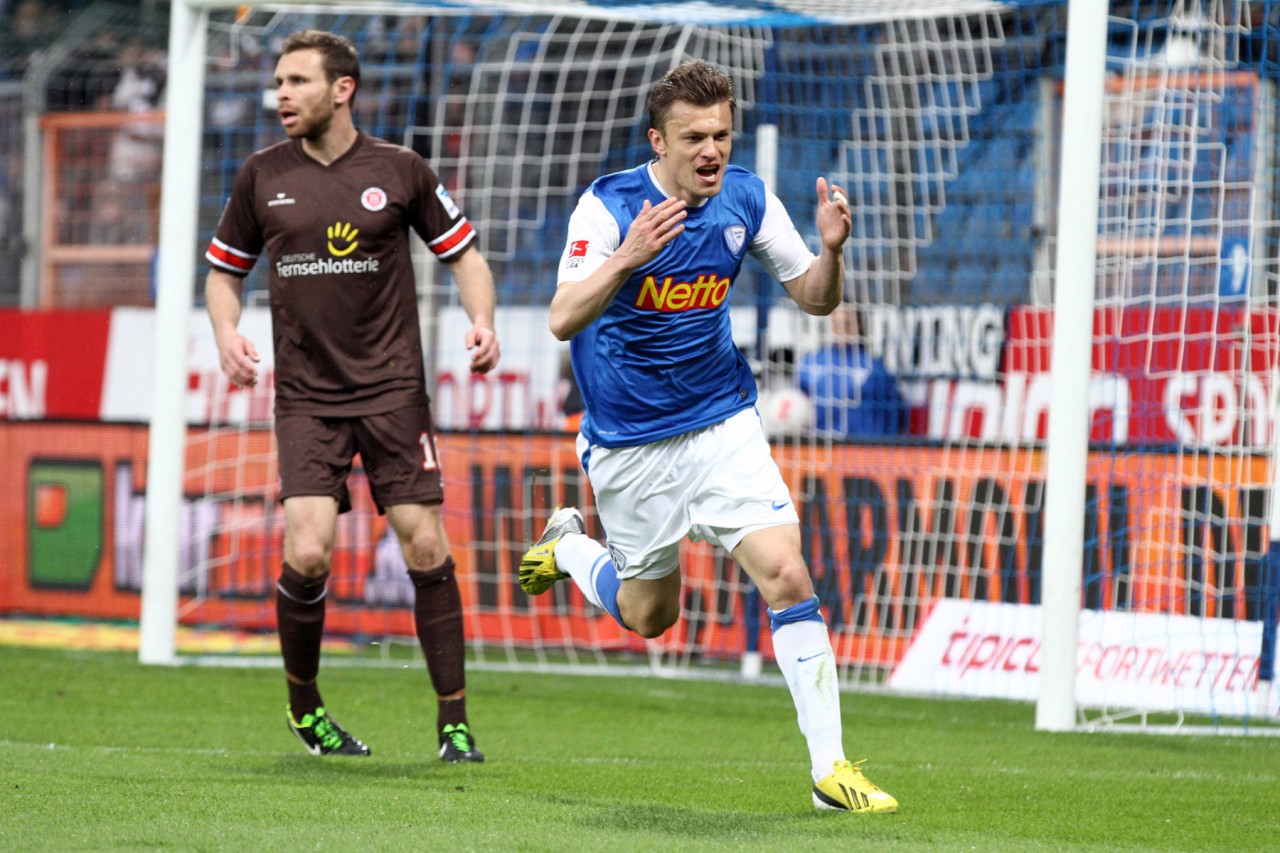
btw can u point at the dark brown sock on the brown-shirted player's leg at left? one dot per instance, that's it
(300, 621)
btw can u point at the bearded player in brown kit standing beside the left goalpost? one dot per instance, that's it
(332, 208)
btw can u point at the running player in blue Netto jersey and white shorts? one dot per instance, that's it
(671, 440)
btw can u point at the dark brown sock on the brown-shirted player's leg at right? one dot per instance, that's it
(438, 619)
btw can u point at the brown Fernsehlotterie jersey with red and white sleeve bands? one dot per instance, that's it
(342, 288)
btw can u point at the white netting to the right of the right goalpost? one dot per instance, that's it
(1176, 590)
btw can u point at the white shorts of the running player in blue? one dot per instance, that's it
(717, 485)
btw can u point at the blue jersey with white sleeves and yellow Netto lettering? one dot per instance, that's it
(661, 361)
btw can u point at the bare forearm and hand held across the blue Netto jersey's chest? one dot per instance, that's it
(578, 304)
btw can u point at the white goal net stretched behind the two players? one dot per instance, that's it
(920, 464)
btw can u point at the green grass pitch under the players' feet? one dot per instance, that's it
(98, 752)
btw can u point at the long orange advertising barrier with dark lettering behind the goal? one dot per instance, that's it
(888, 531)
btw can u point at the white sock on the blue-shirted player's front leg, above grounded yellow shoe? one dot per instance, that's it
(808, 665)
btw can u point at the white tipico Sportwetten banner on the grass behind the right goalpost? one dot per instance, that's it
(1124, 660)
